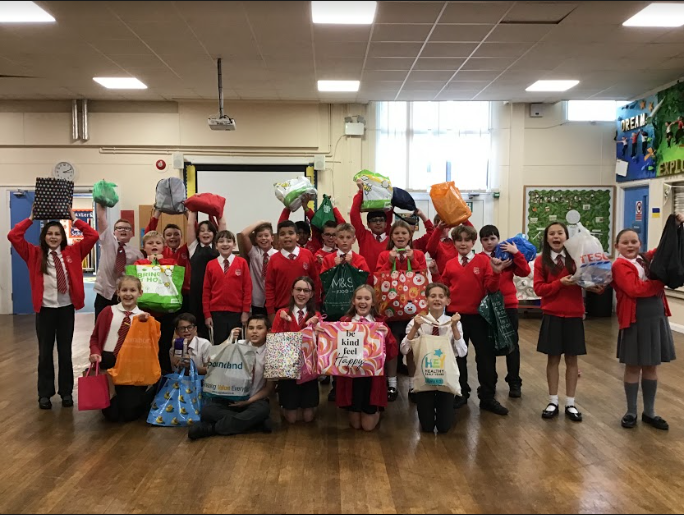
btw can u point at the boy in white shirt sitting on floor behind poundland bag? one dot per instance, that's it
(224, 417)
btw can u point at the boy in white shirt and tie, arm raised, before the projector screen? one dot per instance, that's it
(256, 245)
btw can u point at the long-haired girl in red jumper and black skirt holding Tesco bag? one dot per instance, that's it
(562, 327)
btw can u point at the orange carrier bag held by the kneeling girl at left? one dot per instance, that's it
(137, 363)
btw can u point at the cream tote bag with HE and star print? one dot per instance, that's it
(436, 367)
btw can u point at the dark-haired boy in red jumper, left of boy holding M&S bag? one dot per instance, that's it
(287, 265)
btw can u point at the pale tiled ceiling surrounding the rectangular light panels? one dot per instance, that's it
(271, 50)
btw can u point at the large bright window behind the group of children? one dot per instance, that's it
(422, 143)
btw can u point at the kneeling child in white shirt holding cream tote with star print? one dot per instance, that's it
(436, 408)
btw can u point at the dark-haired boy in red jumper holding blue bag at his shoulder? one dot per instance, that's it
(517, 265)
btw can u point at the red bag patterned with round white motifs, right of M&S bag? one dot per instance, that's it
(400, 294)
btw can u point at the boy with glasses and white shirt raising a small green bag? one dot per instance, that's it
(115, 253)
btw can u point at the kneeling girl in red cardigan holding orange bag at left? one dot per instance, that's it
(111, 327)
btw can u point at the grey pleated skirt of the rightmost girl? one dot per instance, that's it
(648, 341)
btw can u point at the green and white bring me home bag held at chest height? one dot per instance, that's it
(162, 286)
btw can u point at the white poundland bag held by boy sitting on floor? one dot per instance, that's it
(230, 371)
